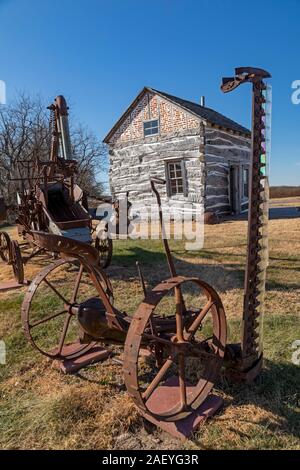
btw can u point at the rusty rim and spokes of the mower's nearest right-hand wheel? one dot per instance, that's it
(213, 362)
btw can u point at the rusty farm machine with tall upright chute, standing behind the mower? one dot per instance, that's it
(49, 200)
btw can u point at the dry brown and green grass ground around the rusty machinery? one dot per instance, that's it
(42, 409)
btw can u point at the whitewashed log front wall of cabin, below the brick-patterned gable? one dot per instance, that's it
(133, 163)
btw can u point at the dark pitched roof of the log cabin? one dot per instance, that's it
(208, 114)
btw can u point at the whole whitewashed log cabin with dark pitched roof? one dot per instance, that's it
(202, 155)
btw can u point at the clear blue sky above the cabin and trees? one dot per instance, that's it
(99, 54)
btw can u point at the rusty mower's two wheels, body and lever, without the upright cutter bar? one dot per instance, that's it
(166, 325)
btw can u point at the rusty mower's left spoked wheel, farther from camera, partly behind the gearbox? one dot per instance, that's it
(50, 307)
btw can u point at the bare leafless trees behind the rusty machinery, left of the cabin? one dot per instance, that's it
(25, 133)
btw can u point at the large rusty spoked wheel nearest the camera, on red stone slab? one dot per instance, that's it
(190, 355)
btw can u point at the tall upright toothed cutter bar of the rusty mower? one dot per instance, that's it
(247, 357)
